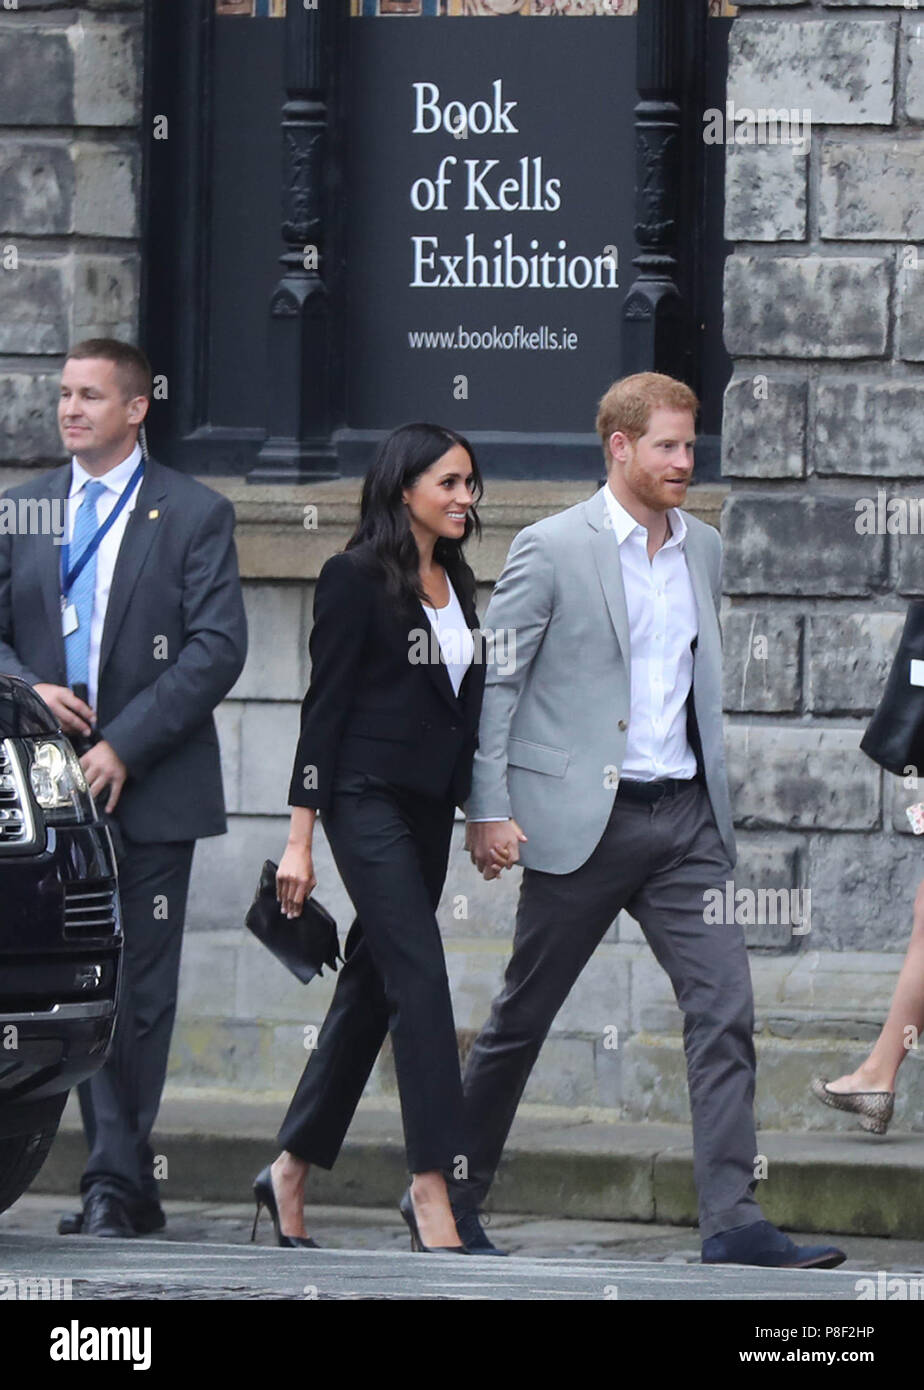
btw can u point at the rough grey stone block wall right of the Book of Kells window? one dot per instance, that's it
(825, 526)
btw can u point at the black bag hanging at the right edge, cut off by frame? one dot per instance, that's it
(896, 736)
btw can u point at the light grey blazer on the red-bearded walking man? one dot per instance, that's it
(554, 723)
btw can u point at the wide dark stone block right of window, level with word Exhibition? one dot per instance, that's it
(807, 306)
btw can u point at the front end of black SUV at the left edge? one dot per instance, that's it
(60, 933)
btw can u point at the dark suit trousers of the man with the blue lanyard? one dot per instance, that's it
(120, 1103)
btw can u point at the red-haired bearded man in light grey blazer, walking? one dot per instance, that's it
(601, 769)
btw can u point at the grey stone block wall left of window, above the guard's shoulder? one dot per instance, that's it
(70, 170)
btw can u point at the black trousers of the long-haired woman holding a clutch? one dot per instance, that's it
(393, 850)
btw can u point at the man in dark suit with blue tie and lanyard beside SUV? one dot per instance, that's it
(133, 633)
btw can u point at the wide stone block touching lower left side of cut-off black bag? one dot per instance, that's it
(787, 778)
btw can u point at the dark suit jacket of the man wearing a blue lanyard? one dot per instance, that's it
(174, 643)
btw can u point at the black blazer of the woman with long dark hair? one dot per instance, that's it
(369, 707)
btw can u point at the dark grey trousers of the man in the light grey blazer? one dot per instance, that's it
(657, 861)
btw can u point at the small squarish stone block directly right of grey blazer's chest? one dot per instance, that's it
(762, 661)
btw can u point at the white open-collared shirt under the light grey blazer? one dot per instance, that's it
(663, 623)
